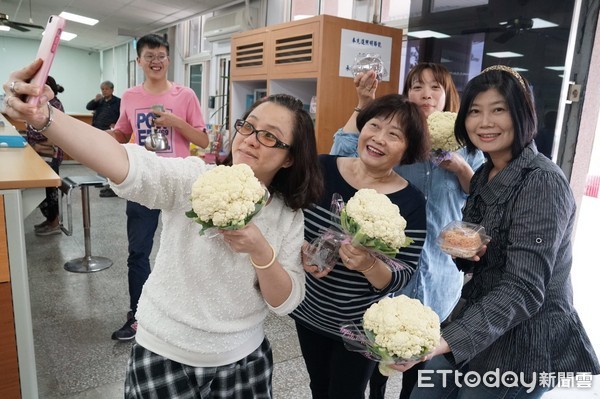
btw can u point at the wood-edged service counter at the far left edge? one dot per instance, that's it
(24, 177)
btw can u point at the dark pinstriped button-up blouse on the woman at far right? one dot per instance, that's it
(519, 314)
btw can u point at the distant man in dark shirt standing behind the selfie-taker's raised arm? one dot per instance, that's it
(106, 113)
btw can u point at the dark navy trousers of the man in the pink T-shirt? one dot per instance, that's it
(141, 226)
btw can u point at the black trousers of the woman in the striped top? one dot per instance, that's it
(335, 372)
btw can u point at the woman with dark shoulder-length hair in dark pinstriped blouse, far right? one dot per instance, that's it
(519, 316)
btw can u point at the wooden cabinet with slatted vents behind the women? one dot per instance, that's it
(302, 58)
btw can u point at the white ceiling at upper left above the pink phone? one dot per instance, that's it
(119, 19)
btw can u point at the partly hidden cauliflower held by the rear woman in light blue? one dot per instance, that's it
(441, 131)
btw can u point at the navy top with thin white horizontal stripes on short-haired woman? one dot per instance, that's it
(344, 295)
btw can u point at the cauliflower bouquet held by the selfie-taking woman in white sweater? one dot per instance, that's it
(226, 197)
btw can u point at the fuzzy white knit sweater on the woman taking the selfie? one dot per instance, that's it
(201, 305)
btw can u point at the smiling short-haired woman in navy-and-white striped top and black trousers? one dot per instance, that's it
(391, 134)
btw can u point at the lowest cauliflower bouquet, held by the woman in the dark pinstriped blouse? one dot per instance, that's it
(394, 330)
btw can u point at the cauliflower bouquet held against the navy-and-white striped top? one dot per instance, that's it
(374, 222)
